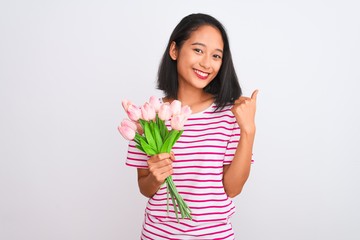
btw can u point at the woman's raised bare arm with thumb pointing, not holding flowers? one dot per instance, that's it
(236, 173)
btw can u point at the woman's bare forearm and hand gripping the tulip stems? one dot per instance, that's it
(151, 179)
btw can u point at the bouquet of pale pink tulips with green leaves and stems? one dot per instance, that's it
(146, 126)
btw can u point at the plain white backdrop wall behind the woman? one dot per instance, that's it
(65, 66)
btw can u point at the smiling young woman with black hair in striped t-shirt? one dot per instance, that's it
(210, 163)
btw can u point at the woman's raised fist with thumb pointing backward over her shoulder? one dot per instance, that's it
(244, 110)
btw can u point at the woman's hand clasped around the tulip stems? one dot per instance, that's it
(160, 167)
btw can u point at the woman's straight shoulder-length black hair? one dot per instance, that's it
(224, 87)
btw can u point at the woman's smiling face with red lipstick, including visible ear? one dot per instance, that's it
(199, 58)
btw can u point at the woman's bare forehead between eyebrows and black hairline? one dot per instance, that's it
(208, 35)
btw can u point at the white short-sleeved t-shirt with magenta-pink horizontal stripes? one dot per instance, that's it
(208, 142)
